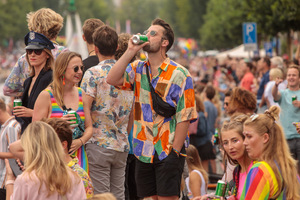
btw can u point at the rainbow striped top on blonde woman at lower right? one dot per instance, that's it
(261, 183)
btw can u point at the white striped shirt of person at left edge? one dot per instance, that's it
(10, 132)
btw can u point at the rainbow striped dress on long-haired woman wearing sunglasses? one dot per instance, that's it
(57, 112)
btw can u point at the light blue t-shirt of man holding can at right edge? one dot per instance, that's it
(289, 113)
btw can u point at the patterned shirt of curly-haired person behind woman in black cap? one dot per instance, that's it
(14, 83)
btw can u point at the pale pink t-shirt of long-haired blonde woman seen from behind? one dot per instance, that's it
(27, 188)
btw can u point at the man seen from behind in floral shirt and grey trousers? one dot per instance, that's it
(108, 148)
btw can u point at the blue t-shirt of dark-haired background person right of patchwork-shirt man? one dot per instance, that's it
(212, 114)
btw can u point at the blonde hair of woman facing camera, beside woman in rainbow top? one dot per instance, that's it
(235, 124)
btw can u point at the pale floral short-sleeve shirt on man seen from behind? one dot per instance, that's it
(110, 109)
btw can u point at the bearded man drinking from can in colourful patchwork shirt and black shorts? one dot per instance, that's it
(158, 142)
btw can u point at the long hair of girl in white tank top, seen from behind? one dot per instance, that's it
(194, 161)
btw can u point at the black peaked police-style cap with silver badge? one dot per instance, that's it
(34, 40)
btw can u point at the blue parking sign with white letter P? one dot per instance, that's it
(249, 36)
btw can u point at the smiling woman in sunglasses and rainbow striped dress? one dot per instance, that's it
(62, 96)
